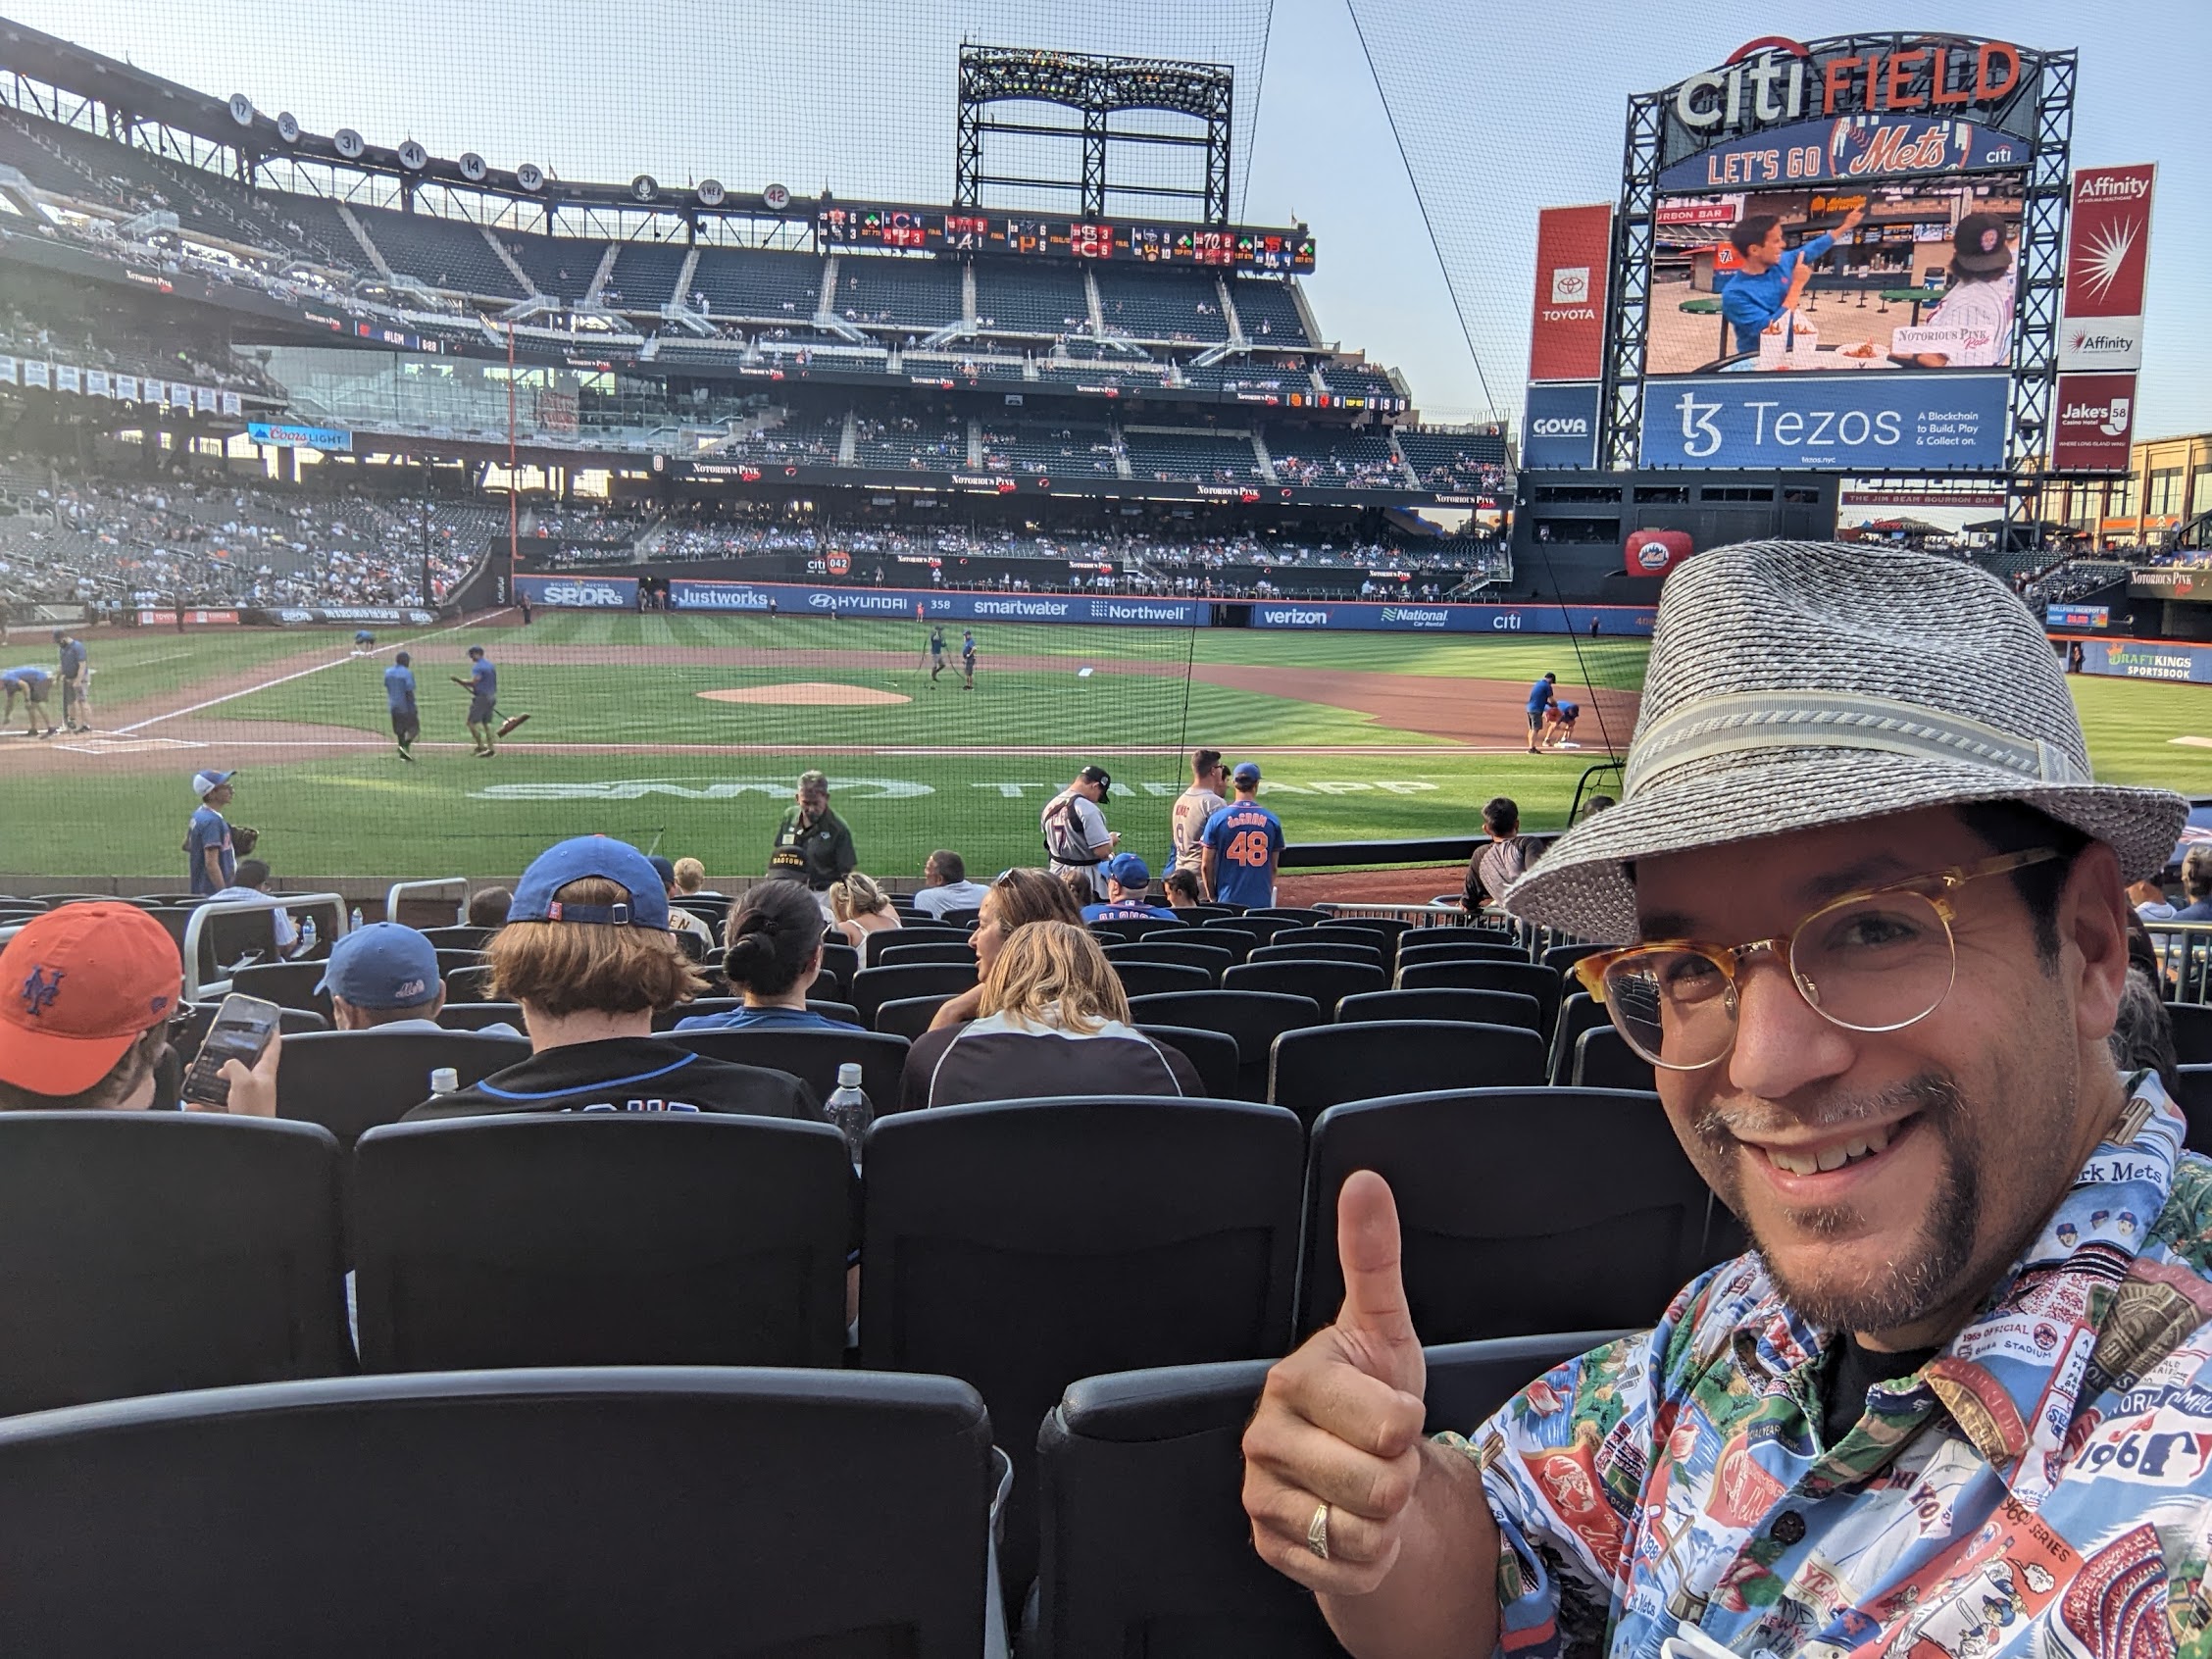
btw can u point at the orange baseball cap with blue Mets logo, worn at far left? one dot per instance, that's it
(79, 988)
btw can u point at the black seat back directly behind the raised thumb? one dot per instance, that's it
(1490, 1251)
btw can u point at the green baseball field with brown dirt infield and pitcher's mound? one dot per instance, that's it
(689, 731)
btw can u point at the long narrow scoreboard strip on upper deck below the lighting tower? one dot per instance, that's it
(972, 231)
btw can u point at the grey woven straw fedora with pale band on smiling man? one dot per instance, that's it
(1804, 685)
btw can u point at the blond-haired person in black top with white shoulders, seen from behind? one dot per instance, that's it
(1054, 1023)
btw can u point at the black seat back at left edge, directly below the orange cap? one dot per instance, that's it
(165, 1251)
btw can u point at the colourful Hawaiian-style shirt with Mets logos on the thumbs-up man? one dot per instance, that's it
(2041, 1490)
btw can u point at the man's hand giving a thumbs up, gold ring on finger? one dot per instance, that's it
(1333, 1454)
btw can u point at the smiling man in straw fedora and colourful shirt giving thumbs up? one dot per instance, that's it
(1959, 1401)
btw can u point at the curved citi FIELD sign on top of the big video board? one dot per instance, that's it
(1868, 81)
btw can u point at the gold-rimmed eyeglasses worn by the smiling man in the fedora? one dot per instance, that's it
(1872, 961)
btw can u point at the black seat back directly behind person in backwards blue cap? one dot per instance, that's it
(601, 1240)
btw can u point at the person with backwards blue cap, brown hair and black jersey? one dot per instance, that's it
(589, 957)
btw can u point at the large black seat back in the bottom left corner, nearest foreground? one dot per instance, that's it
(705, 1512)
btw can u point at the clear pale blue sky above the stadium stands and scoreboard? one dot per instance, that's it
(1501, 114)
